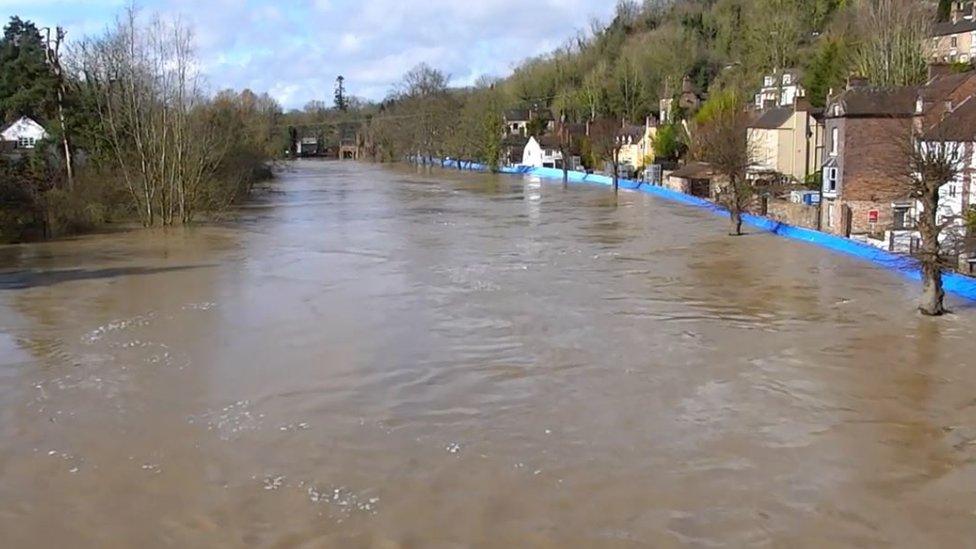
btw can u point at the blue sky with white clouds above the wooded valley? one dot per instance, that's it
(294, 49)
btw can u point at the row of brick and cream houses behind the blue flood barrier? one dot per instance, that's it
(844, 166)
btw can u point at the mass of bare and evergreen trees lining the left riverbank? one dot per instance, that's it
(133, 133)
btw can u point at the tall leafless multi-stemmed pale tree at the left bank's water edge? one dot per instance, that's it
(147, 94)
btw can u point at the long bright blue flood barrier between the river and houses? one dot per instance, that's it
(957, 284)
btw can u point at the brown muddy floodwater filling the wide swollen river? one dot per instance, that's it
(374, 357)
